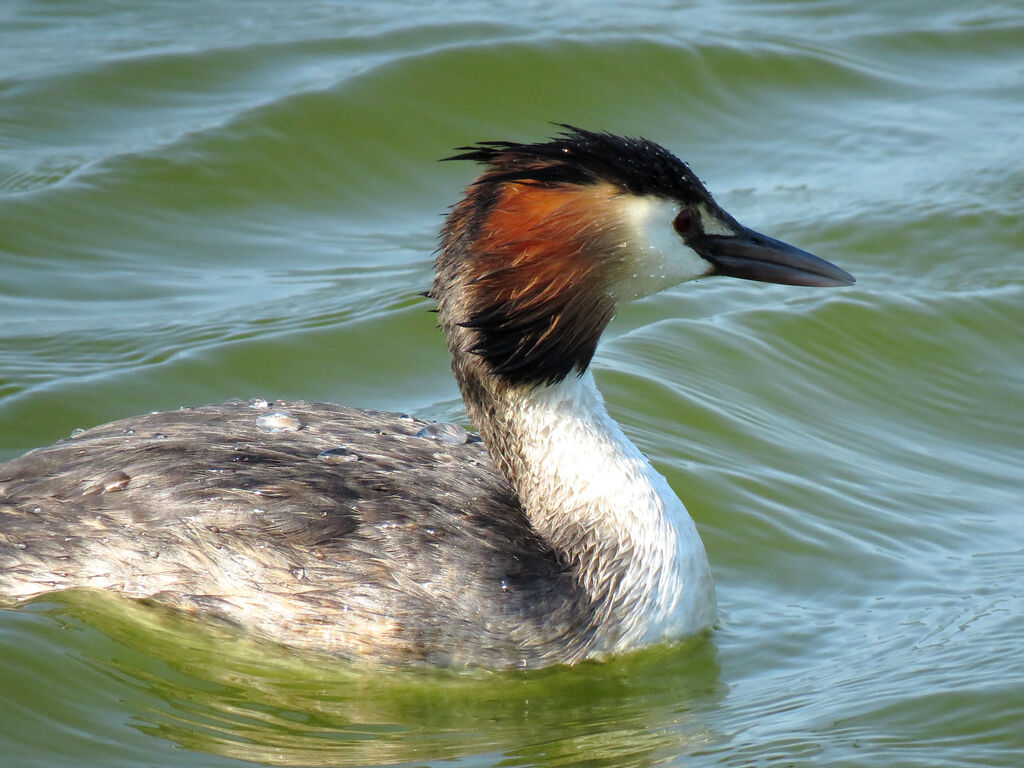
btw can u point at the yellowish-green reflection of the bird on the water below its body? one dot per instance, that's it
(210, 691)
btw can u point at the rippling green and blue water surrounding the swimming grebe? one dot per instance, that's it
(235, 199)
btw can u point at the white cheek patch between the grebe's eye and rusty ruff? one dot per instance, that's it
(658, 257)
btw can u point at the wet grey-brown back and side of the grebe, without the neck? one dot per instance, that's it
(365, 534)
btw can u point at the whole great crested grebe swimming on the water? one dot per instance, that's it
(379, 537)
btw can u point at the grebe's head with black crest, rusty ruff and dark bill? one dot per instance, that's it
(553, 235)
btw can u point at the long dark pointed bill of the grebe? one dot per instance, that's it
(752, 255)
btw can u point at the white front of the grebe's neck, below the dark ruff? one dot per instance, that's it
(591, 493)
